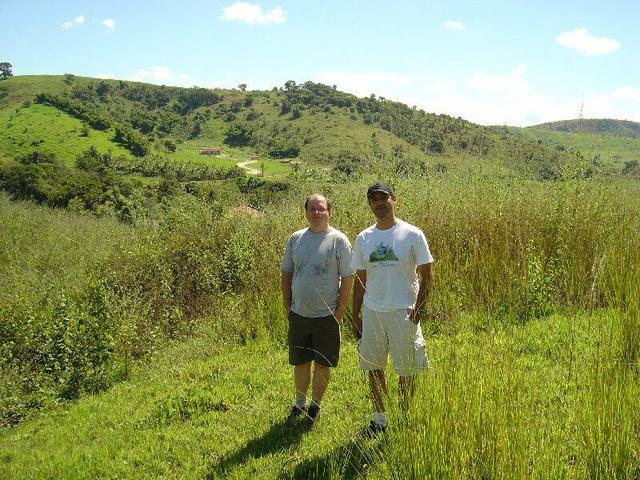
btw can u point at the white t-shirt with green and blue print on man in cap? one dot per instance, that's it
(390, 258)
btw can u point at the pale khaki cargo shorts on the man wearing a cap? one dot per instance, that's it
(391, 332)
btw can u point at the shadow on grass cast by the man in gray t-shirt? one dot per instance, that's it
(280, 436)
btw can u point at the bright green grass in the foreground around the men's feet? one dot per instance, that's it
(542, 400)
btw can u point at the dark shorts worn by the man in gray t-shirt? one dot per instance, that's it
(313, 339)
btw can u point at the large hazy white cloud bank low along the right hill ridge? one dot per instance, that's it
(489, 99)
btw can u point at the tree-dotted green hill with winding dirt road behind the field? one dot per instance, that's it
(300, 131)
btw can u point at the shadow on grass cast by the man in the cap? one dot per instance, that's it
(348, 462)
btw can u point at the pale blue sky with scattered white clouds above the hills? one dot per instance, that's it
(491, 62)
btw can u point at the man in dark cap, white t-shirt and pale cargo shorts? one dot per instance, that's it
(393, 280)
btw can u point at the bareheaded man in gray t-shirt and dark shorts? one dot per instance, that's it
(316, 283)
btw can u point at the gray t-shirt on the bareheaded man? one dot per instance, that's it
(318, 262)
